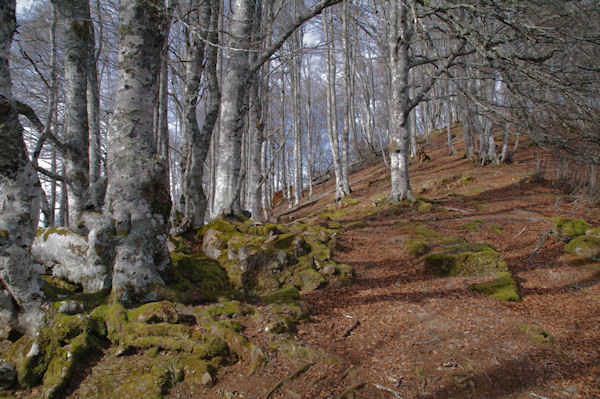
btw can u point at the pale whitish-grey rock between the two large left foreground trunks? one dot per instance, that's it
(65, 253)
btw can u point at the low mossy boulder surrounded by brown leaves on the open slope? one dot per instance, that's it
(466, 260)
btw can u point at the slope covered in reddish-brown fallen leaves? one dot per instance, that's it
(399, 332)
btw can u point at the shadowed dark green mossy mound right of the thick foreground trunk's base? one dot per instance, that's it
(196, 279)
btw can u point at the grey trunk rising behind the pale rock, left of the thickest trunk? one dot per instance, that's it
(76, 17)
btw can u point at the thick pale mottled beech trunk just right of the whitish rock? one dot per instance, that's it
(137, 197)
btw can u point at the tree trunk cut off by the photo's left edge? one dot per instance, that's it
(20, 196)
